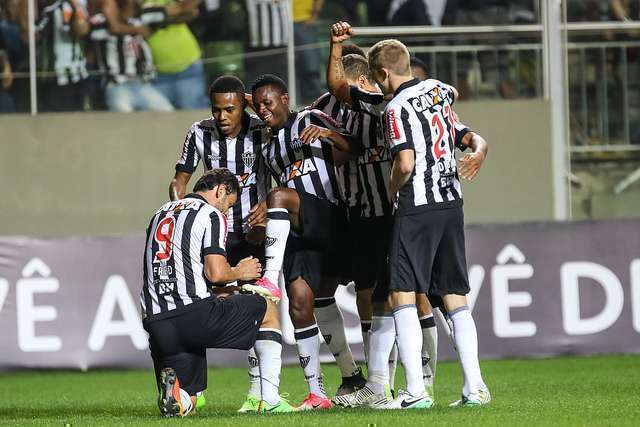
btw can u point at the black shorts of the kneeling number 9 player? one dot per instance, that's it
(180, 342)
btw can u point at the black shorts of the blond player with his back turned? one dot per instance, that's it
(427, 253)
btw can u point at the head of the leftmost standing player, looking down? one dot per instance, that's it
(227, 104)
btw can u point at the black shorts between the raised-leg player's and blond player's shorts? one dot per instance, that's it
(370, 257)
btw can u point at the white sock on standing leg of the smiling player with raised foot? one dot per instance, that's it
(308, 344)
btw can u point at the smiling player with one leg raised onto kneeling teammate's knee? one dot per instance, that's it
(305, 217)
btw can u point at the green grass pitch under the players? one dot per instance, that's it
(561, 391)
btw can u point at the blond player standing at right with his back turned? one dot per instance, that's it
(427, 253)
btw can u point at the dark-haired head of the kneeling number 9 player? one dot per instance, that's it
(219, 187)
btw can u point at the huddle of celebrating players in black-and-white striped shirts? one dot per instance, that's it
(368, 191)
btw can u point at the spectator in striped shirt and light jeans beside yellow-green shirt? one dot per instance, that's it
(126, 58)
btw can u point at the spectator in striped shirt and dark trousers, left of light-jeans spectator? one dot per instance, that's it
(60, 27)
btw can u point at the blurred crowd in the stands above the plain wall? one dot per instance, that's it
(126, 55)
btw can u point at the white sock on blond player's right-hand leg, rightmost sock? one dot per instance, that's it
(466, 338)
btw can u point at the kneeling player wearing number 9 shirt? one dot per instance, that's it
(185, 257)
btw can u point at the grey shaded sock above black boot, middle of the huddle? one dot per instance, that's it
(331, 324)
